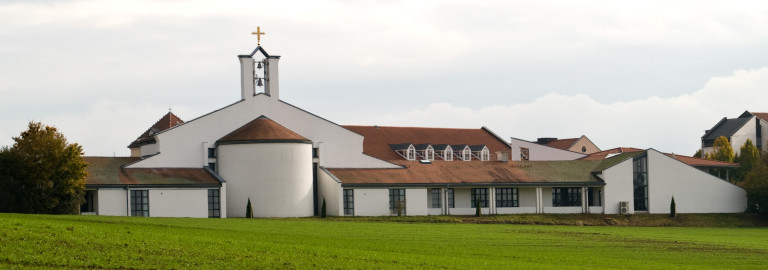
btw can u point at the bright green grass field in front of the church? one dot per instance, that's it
(45, 242)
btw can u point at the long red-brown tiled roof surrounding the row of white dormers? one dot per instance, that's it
(378, 138)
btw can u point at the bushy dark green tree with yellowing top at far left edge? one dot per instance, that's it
(47, 174)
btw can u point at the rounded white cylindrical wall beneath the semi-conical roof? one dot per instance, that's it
(277, 177)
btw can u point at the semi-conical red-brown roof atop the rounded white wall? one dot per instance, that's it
(262, 130)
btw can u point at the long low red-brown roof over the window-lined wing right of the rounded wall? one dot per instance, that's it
(458, 173)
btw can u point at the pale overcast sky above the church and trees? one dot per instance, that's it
(646, 74)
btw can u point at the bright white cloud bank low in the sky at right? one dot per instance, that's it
(667, 124)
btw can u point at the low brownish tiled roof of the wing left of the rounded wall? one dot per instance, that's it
(109, 171)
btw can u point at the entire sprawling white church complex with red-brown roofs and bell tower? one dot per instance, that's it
(287, 162)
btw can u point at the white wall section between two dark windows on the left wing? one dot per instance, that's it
(178, 203)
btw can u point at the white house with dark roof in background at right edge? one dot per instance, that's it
(748, 125)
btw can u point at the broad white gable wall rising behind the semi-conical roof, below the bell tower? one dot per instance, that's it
(182, 146)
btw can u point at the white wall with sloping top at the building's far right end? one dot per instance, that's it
(694, 191)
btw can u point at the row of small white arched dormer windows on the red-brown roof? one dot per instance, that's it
(442, 151)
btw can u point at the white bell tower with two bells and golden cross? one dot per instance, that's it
(258, 72)
